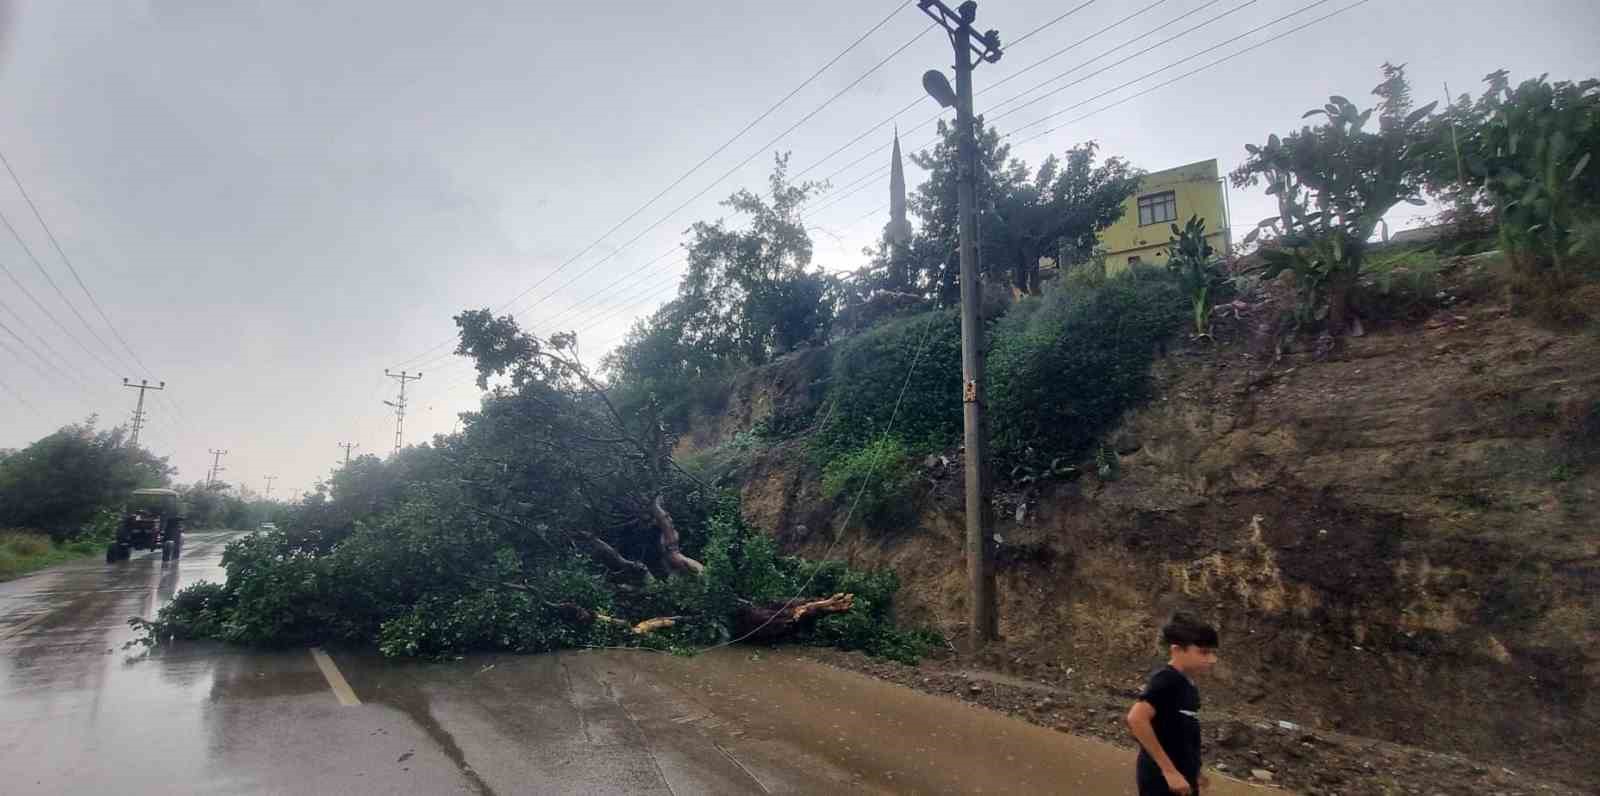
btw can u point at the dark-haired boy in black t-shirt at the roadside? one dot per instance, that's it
(1167, 718)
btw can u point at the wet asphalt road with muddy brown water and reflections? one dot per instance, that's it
(79, 714)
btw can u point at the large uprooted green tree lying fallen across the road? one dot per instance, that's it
(550, 520)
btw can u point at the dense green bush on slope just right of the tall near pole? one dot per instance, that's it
(1065, 367)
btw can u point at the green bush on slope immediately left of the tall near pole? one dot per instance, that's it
(870, 373)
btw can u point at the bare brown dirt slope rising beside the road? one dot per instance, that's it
(1401, 543)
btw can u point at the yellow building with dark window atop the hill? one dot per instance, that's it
(1166, 199)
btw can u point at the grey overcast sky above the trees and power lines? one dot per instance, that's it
(276, 201)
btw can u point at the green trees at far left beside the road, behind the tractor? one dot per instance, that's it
(65, 482)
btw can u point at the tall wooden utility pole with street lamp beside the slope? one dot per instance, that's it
(970, 50)
